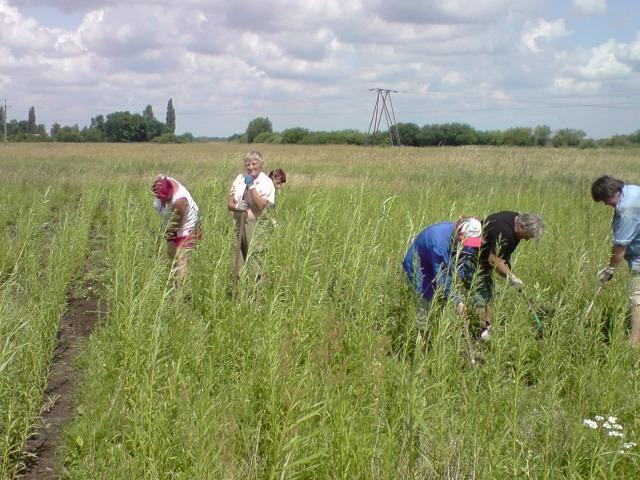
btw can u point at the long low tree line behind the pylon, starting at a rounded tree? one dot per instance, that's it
(260, 130)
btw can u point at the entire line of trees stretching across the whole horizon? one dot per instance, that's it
(133, 127)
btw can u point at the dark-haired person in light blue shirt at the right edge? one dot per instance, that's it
(625, 201)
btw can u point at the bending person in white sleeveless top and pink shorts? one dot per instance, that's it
(180, 220)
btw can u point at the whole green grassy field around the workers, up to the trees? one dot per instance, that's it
(318, 374)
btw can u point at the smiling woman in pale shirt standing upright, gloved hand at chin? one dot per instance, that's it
(251, 194)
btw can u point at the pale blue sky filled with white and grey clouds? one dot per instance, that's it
(493, 64)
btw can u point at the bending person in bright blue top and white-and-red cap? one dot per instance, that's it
(440, 254)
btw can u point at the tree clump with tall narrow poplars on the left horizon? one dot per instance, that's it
(115, 127)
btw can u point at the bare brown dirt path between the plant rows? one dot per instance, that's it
(77, 324)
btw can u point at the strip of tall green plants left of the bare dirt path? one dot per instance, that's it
(46, 241)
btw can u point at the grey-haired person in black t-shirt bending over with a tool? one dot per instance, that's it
(502, 232)
